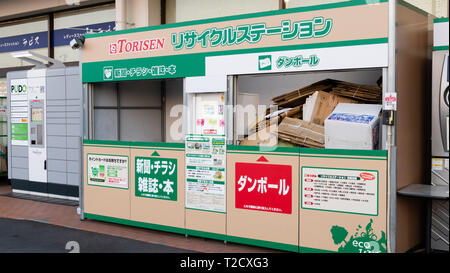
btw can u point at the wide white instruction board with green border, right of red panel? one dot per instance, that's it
(340, 190)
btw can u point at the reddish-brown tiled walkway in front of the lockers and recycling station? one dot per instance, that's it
(67, 216)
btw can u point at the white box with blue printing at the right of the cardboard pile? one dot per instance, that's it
(353, 126)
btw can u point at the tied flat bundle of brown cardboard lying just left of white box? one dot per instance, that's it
(300, 132)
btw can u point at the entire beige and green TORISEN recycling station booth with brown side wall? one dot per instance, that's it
(136, 171)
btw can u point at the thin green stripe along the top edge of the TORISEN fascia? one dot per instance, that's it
(235, 17)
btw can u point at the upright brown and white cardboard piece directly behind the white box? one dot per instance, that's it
(320, 105)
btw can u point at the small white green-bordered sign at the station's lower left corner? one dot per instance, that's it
(107, 170)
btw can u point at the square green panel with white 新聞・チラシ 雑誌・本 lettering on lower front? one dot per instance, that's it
(156, 178)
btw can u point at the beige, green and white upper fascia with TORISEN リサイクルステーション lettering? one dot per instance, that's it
(187, 46)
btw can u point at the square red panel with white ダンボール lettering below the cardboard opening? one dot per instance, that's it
(264, 187)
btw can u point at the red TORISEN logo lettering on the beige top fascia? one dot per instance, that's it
(128, 46)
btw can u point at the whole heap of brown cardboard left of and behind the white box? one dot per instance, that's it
(303, 112)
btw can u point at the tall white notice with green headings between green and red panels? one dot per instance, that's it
(205, 172)
